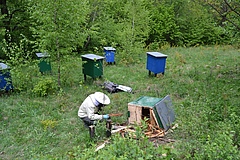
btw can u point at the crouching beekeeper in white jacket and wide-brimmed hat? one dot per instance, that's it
(89, 109)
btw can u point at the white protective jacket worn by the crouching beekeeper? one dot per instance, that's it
(88, 108)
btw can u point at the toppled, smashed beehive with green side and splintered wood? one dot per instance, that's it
(158, 110)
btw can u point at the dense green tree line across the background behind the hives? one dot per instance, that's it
(61, 27)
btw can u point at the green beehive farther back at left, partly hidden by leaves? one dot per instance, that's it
(44, 62)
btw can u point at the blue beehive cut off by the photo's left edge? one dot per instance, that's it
(5, 78)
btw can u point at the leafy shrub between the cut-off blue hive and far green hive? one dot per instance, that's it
(20, 59)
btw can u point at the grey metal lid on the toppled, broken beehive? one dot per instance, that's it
(165, 112)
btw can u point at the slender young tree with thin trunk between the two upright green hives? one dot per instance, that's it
(59, 27)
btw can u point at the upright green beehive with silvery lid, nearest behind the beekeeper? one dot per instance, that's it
(92, 65)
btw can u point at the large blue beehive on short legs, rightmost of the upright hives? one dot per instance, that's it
(156, 62)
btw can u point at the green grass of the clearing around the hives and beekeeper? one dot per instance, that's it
(203, 82)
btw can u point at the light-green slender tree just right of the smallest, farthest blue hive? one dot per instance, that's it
(132, 30)
